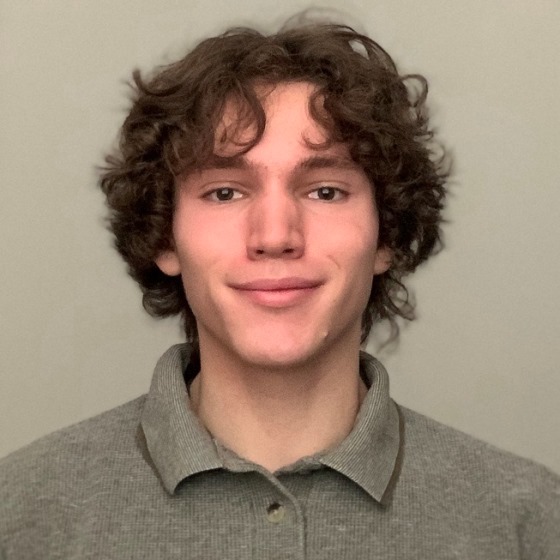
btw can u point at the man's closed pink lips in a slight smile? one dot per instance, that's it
(278, 293)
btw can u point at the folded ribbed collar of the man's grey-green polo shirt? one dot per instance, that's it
(180, 446)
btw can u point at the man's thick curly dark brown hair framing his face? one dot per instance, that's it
(380, 114)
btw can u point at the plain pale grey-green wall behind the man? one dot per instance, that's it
(483, 354)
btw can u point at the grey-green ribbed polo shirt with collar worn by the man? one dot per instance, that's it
(147, 481)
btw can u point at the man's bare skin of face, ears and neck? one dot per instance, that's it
(280, 363)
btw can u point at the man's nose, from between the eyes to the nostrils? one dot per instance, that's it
(275, 226)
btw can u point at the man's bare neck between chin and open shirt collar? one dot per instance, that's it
(275, 417)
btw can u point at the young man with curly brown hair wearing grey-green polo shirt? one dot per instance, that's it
(274, 191)
